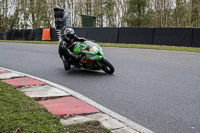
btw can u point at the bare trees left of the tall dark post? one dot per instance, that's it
(23, 14)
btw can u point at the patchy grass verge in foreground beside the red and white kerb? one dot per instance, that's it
(20, 113)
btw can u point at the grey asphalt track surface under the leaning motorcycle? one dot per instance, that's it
(159, 90)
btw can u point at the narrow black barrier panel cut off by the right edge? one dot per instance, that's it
(196, 37)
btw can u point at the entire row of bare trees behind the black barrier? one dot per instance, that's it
(16, 14)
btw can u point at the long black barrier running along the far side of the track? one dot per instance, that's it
(160, 36)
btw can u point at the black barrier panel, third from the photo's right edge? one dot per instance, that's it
(136, 35)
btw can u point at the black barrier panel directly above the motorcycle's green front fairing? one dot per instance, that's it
(108, 35)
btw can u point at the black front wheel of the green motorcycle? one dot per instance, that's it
(107, 66)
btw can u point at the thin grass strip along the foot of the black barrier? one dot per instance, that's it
(139, 46)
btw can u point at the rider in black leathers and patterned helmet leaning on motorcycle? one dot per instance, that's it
(66, 47)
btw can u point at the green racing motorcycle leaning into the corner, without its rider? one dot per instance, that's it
(93, 57)
